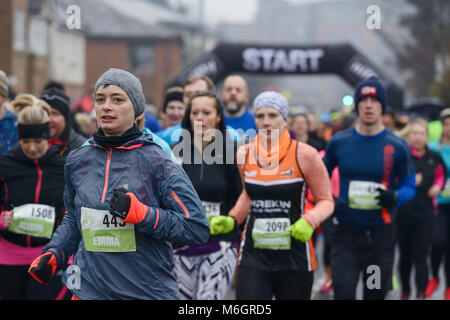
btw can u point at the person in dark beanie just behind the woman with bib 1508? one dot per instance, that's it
(61, 133)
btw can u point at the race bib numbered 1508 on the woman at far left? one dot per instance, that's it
(36, 220)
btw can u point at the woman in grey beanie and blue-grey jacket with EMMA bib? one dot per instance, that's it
(126, 202)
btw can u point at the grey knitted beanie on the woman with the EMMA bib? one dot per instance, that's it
(128, 83)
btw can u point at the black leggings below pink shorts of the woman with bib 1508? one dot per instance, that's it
(17, 284)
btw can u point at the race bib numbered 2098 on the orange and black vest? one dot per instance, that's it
(269, 233)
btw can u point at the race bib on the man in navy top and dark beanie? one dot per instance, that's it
(361, 195)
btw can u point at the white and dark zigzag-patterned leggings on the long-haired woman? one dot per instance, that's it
(205, 277)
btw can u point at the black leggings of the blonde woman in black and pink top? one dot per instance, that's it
(414, 234)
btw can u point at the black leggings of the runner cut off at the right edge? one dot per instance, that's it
(441, 243)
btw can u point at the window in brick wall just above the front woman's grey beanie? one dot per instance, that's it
(142, 58)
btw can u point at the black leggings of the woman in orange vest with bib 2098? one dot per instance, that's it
(254, 284)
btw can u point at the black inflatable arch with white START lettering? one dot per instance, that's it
(341, 59)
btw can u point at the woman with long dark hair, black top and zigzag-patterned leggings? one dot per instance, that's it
(205, 272)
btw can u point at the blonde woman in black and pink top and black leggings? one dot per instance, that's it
(415, 220)
